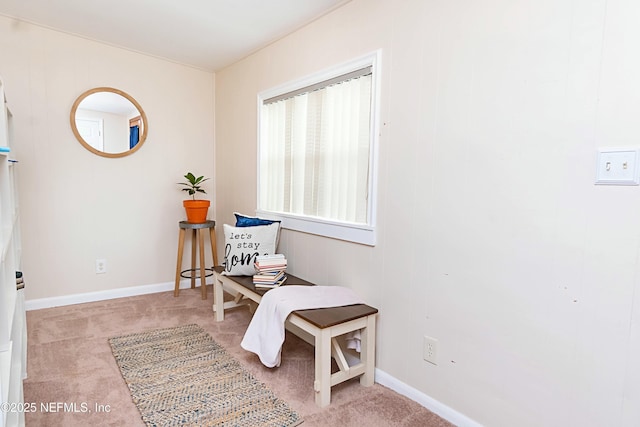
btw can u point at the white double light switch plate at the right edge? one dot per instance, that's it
(618, 166)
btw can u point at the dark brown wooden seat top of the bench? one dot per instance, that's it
(320, 317)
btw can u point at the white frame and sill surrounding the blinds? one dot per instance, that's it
(352, 232)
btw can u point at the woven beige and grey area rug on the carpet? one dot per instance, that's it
(181, 376)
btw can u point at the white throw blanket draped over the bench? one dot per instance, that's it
(265, 333)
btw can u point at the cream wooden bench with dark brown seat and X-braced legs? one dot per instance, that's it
(319, 327)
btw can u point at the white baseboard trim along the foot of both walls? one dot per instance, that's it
(381, 377)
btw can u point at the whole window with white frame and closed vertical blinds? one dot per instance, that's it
(317, 153)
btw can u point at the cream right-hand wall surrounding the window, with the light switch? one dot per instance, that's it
(492, 236)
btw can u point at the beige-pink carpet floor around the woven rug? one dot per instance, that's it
(71, 369)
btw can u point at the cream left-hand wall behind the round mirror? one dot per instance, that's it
(77, 206)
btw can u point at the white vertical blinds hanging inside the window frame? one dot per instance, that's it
(315, 150)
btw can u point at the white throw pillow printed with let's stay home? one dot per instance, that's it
(243, 244)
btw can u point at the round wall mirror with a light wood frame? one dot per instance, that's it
(108, 122)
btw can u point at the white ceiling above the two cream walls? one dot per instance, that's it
(205, 34)
